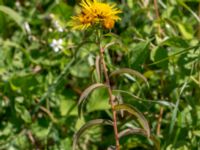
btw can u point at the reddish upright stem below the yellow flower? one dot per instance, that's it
(111, 99)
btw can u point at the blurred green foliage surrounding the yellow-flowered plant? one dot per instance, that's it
(45, 66)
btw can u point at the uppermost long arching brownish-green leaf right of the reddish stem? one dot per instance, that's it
(131, 72)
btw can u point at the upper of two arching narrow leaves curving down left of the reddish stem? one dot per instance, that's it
(85, 94)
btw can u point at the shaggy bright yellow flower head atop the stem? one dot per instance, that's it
(95, 12)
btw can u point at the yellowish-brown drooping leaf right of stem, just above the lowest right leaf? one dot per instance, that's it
(132, 110)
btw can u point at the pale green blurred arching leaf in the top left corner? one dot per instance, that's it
(13, 14)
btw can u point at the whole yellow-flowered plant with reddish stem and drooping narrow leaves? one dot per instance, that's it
(100, 16)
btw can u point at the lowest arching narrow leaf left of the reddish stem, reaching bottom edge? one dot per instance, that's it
(87, 126)
